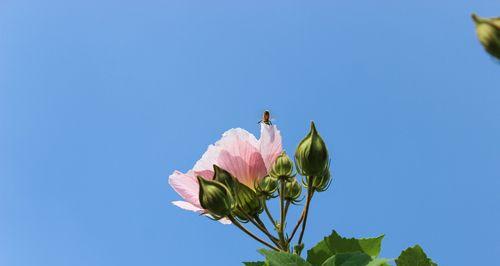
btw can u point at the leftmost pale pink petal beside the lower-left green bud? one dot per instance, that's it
(186, 185)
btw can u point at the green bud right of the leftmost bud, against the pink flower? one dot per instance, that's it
(248, 203)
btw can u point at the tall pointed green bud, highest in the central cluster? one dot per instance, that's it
(311, 156)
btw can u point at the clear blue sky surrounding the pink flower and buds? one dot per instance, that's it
(101, 100)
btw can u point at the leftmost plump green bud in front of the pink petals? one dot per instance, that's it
(215, 198)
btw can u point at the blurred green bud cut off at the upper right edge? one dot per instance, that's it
(488, 33)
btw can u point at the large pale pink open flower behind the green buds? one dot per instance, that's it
(239, 153)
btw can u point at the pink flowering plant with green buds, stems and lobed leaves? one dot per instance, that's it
(237, 176)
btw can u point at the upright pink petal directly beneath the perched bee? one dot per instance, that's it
(269, 144)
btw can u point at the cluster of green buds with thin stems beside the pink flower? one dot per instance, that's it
(226, 197)
